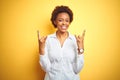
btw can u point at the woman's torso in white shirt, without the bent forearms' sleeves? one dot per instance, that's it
(61, 58)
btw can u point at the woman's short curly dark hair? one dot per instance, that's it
(60, 9)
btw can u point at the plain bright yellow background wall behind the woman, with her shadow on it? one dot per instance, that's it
(20, 20)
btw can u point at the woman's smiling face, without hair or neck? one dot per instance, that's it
(62, 22)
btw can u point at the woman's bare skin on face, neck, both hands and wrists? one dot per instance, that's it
(62, 22)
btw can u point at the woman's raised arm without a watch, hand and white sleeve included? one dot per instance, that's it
(43, 51)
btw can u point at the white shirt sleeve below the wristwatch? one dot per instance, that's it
(78, 63)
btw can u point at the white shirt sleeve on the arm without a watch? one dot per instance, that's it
(44, 60)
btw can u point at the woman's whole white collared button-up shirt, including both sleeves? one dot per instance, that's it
(61, 63)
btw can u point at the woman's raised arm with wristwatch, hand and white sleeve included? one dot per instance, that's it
(79, 61)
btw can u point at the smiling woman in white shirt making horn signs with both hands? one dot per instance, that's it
(61, 53)
